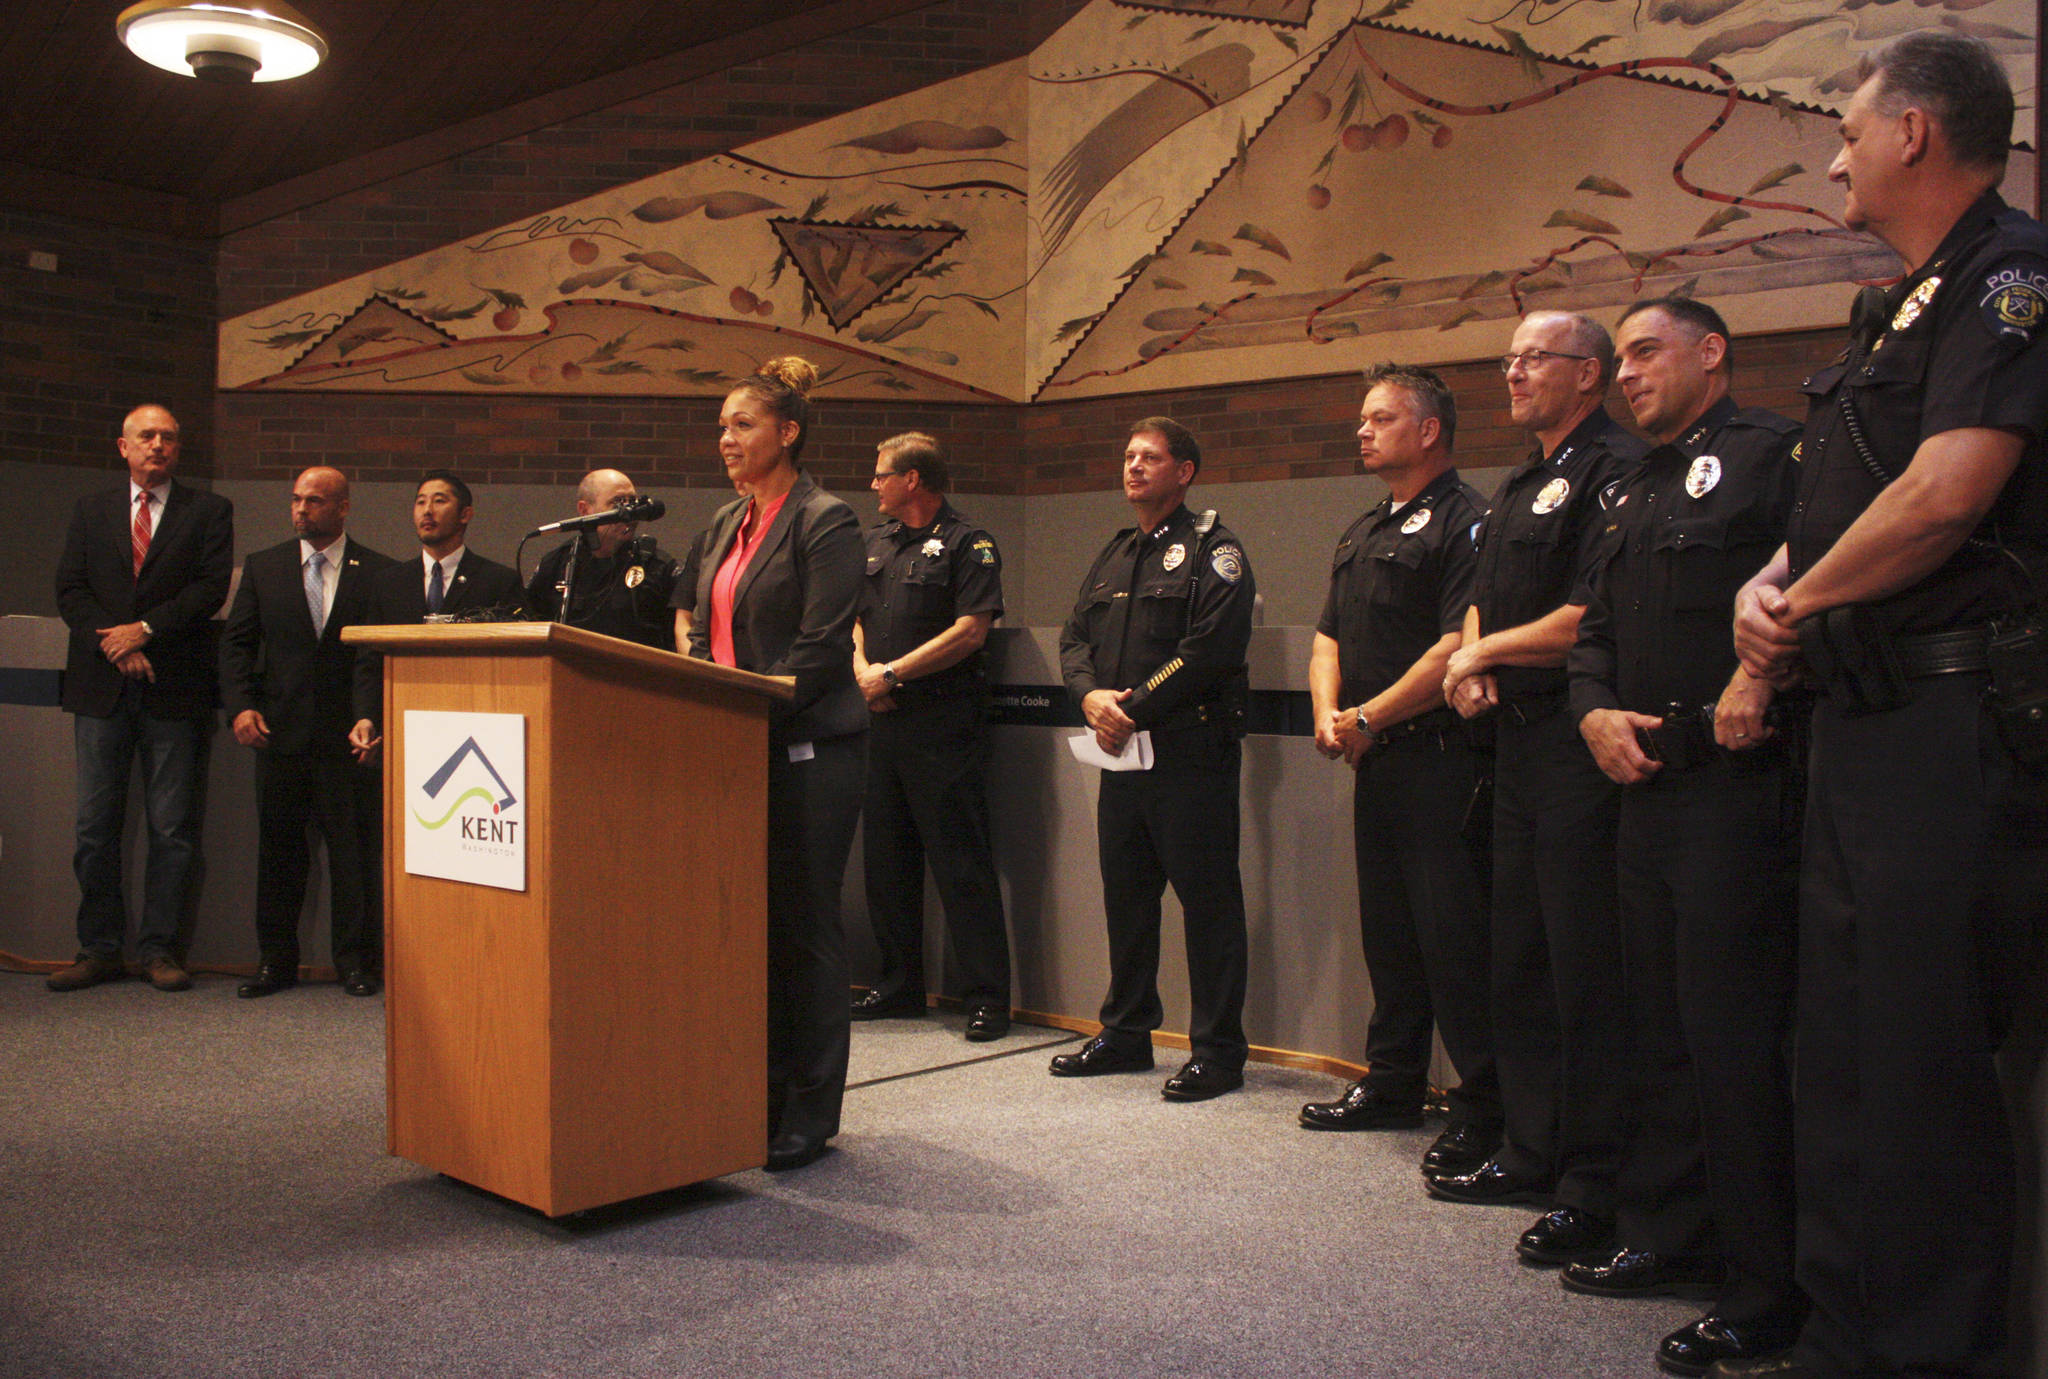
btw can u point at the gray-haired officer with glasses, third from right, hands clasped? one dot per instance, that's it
(1558, 987)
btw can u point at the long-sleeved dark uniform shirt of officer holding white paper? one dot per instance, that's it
(1166, 614)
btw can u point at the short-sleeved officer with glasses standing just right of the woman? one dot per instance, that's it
(933, 593)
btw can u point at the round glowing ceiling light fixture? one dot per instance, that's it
(228, 42)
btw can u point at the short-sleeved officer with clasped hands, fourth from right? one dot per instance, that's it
(1396, 612)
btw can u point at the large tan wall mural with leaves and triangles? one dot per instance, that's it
(1181, 194)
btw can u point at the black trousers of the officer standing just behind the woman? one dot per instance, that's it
(927, 800)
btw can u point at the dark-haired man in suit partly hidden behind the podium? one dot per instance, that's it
(445, 581)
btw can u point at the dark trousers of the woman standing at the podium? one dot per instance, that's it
(812, 812)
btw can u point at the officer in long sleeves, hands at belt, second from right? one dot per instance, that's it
(1705, 1183)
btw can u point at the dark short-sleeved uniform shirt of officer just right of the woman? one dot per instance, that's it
(921, 583)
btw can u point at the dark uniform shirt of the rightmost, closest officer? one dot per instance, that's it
(1963, 343)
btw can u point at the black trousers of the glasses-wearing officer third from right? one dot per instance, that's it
(1560, 1026)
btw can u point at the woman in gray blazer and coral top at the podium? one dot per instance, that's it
(775, 593)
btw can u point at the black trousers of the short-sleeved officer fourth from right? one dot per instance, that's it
(1424, 921)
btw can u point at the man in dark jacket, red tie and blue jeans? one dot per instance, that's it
(142, 575)
